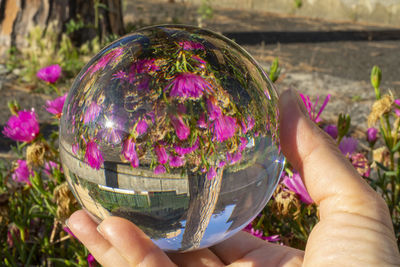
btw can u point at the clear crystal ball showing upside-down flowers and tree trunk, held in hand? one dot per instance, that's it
(174, 128)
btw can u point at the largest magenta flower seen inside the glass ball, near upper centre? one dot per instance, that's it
(188, 85)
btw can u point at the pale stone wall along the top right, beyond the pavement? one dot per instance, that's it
(371, 11)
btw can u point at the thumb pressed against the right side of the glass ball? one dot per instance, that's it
(328, 176)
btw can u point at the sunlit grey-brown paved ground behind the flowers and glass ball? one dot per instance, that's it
(317, 57)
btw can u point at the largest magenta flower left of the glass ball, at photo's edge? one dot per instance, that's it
(22, 127)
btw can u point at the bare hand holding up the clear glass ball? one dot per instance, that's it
(355, 227)
